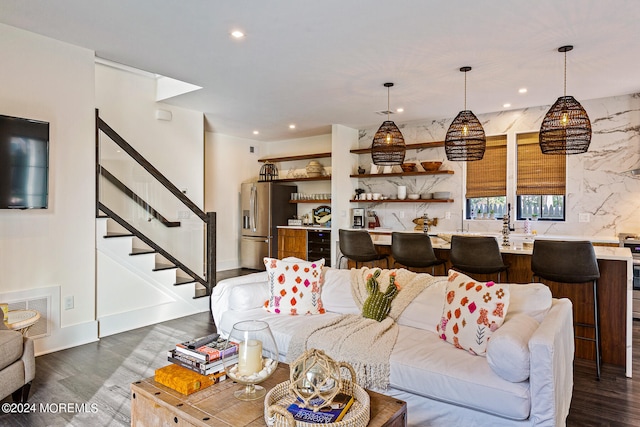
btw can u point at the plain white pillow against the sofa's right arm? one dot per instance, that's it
(508, 349)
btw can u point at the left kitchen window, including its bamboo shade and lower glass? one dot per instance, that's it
(487, 181)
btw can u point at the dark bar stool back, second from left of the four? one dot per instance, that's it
(414, 250)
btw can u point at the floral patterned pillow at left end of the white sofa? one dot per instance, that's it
(294, 286)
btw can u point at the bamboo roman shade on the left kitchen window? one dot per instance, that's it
(488, 177)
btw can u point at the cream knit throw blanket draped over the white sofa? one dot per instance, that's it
(363, 343)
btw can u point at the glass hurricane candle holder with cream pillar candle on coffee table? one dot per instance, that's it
(254, 361)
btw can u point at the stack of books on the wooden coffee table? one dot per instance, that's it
(204, 355)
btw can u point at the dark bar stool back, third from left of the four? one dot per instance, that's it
(477, 254)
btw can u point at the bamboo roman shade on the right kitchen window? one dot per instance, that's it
(538, 174)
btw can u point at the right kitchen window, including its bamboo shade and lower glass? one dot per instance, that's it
(541, 183)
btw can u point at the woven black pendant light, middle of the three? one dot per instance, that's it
(465, 140)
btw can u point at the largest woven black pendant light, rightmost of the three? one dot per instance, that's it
(566, 128)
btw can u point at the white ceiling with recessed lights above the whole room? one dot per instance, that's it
(317, 63)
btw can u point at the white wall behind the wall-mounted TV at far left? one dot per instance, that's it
(52, 81)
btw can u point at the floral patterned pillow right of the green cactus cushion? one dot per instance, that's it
(472, 312)
